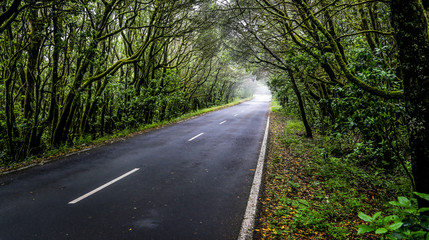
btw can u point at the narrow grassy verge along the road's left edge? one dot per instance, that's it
(87, 142)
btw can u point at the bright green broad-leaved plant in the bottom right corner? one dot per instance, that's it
(406, 222)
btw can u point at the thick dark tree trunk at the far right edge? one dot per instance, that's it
(411, 32)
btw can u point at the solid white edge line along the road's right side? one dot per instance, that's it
(246, 232)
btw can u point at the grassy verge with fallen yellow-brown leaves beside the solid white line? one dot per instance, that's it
(311, 193)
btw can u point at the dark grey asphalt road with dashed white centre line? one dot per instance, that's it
(190, 180)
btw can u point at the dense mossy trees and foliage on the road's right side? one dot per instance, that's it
(351, 68)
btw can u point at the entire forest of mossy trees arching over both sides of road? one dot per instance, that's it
(350, 69)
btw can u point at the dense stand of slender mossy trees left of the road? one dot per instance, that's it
(73, 70)
